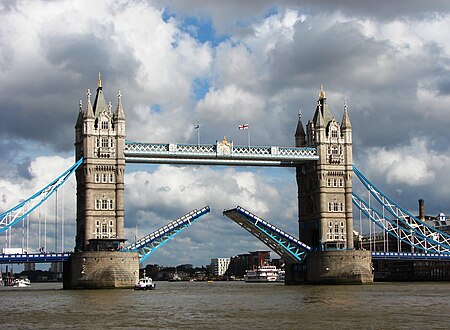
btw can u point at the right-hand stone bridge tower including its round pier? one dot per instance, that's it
(325, 200)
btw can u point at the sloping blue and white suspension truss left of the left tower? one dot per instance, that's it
(21, 210)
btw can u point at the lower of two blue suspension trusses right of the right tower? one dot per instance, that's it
(399, 230)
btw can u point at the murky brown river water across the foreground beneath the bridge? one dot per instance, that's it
(229, 305)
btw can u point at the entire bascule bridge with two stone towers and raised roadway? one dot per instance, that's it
(324, 251)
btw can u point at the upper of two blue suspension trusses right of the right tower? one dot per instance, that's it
(405, 219)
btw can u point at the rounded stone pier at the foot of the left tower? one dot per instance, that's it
(101, 270)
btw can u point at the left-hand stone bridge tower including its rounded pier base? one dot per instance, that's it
(100, 140)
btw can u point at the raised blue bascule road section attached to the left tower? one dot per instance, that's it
(147, 245)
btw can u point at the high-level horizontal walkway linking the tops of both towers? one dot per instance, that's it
(221, 153)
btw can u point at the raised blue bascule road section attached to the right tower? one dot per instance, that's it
(287, 246)
